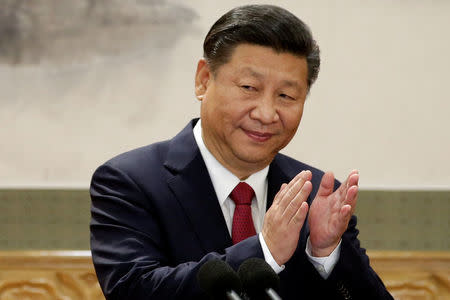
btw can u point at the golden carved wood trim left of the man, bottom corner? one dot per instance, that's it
(52, 275)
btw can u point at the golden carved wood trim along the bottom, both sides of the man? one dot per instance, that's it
(69, 275)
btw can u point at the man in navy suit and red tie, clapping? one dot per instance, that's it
(161, 211)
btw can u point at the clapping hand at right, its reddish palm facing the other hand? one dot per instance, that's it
(330, 213)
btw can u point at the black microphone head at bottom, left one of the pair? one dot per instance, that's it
(219, 280)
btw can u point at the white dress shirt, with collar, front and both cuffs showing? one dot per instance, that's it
(224, 182)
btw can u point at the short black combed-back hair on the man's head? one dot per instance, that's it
(263, 25)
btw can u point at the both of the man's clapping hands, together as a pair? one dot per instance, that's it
(328, 217)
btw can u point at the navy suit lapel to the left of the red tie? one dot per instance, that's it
(194, 191)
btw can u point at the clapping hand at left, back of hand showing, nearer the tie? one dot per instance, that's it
(284, 219)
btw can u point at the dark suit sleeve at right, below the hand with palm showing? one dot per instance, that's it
(351, 278)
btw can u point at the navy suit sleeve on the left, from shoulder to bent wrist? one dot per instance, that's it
(129, 249)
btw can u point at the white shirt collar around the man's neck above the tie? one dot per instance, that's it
(222, 179)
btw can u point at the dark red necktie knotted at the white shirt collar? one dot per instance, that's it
(242, 227)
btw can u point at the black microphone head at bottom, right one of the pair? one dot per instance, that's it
(258, 279)
